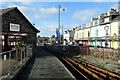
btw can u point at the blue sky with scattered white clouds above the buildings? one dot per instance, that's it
(45, 14)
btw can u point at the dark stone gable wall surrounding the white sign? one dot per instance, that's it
(15, 16)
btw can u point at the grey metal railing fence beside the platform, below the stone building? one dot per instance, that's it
(11, 60)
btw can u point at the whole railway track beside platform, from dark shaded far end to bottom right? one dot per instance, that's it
(82, 70)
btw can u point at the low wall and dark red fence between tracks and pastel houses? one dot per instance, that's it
(104, 53)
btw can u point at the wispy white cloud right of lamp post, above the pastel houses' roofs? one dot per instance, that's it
(84, 15)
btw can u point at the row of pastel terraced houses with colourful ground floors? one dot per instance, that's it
(101, 31)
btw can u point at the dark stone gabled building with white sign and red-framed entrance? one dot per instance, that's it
(16, 28)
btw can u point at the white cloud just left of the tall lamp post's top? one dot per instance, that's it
(49, 11)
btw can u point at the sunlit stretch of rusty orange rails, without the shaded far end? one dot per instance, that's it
(88, 71)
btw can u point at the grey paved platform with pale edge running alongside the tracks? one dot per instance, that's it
(45, 66)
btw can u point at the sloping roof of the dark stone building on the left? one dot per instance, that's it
(4, 11)
